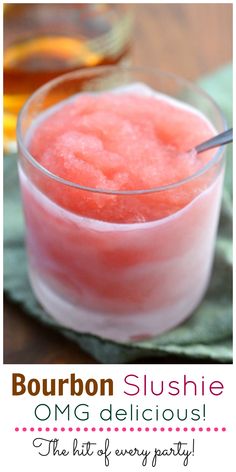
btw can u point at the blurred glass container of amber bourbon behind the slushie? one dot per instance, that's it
(42, 41)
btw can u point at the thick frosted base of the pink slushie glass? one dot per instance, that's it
(133, 327)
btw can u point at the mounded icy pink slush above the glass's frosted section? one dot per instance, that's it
(122, 141)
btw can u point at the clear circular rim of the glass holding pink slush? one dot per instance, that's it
(91, 70)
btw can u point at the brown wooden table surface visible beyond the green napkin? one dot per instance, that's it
(187, 39)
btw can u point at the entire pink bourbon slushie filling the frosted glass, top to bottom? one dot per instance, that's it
(126, 254)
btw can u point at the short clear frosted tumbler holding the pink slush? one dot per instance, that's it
(122, 280)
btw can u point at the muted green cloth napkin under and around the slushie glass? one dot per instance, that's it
(205, 337)
